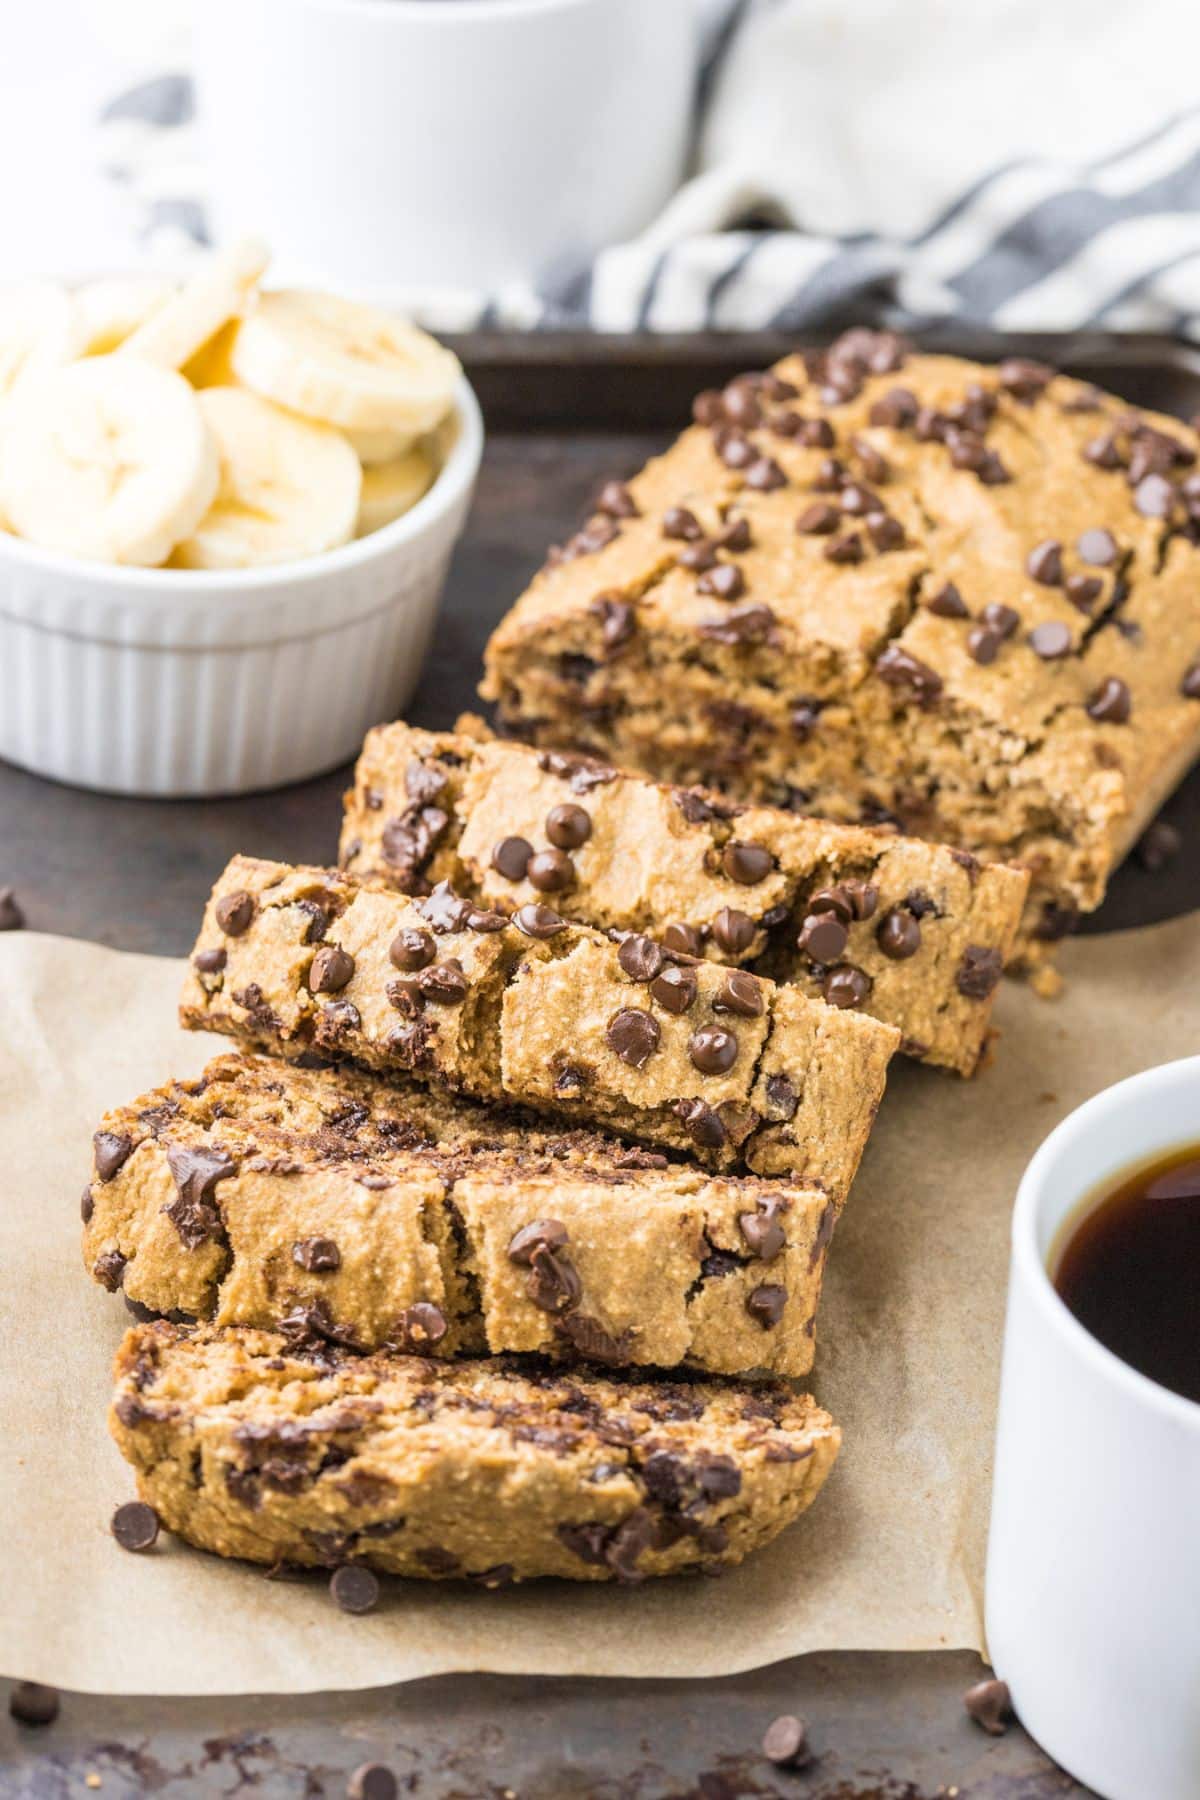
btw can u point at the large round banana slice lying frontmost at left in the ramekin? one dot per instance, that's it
(107, 458)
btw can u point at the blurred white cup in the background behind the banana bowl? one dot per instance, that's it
(467, 145)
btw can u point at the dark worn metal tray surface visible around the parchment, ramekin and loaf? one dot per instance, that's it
(134, 874)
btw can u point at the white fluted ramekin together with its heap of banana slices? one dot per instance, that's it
(226, 523)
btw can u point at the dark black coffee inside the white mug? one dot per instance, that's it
(1129, 1268)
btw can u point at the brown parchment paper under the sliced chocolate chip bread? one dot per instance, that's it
(909, 1336)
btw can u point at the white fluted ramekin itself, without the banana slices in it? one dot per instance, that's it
(175, 683)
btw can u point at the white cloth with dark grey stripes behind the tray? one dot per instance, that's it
(1003, 165)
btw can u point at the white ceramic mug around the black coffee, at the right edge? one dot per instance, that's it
(1095, 1549)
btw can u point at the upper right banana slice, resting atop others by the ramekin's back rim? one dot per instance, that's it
(345, 363)
